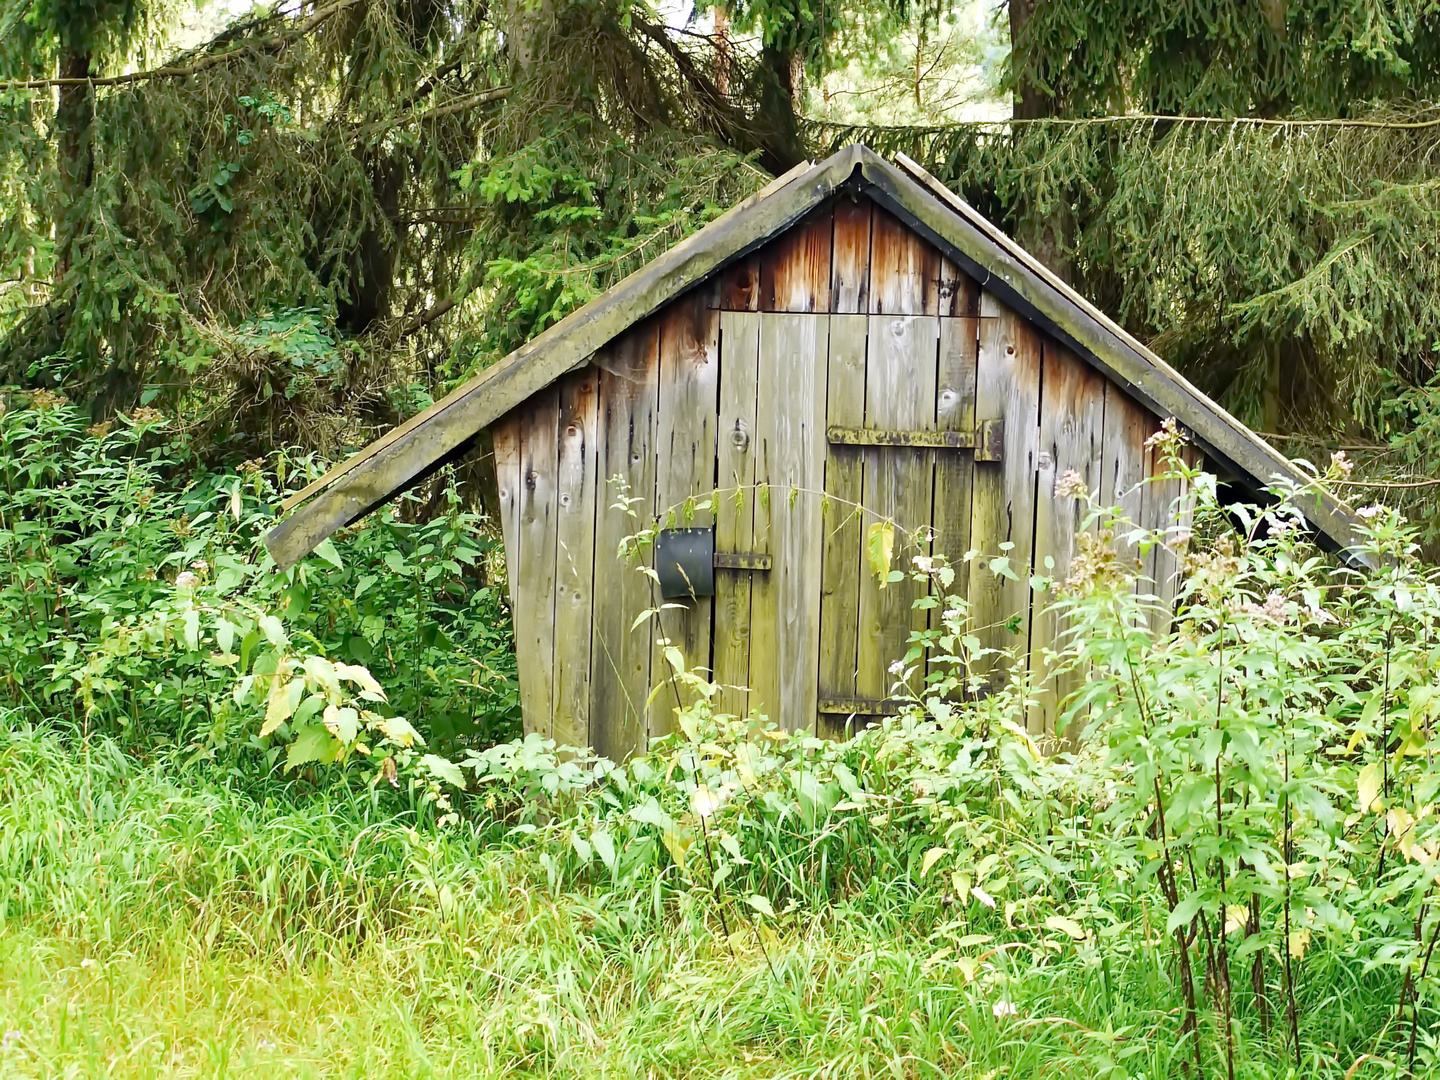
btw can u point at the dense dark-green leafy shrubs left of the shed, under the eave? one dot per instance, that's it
(117, 541)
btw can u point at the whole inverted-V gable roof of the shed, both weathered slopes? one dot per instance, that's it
(449, 428)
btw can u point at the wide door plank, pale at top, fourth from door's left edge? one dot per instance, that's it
(898, 487)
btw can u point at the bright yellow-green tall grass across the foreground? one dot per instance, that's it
(161, 924)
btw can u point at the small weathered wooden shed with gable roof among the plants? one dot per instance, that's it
(853, 336)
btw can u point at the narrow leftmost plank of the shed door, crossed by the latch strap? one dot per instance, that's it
(735, 518)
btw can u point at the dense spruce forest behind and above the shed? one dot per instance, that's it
(292, 227)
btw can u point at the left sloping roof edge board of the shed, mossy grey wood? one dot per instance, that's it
(438, 434)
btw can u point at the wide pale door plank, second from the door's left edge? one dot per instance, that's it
(790, 463)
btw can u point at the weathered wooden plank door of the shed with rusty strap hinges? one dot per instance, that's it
(810, 643)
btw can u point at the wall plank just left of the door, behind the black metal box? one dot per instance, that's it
(686, 476)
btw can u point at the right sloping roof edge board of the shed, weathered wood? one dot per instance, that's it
(1006, 270)
